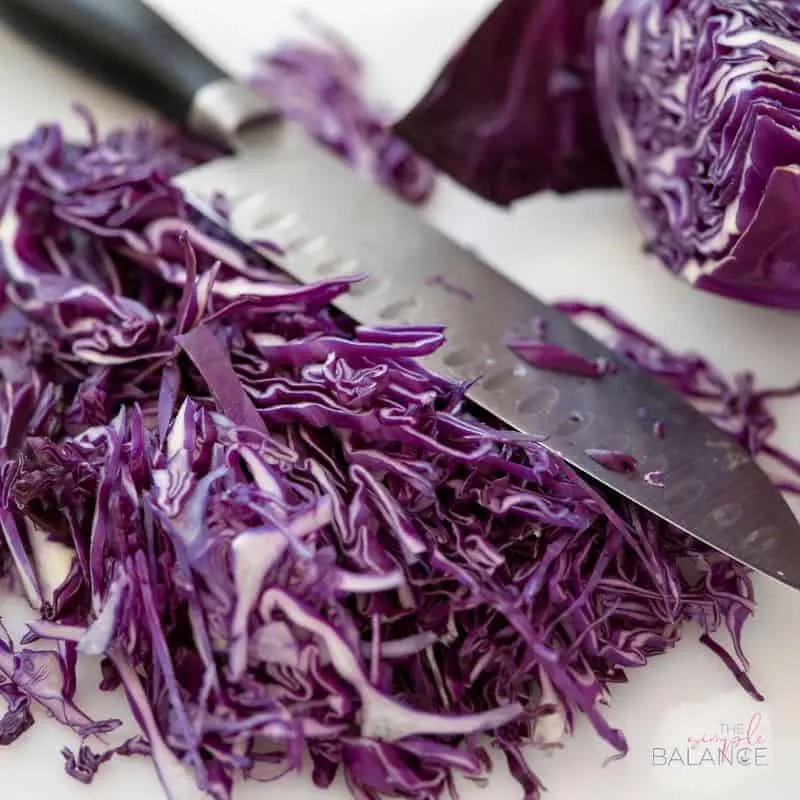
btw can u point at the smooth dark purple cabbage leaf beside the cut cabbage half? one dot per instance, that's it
(513, 111)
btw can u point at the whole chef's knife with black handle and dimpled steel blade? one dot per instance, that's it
(285, 188)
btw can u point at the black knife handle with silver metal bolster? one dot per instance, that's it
(128, 46)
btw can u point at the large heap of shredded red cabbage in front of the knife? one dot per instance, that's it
(284, 529)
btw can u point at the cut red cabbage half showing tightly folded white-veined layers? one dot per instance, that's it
(700, 103)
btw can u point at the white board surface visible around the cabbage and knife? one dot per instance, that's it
(582, 246)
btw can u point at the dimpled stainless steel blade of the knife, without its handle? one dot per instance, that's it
(284, 188)
